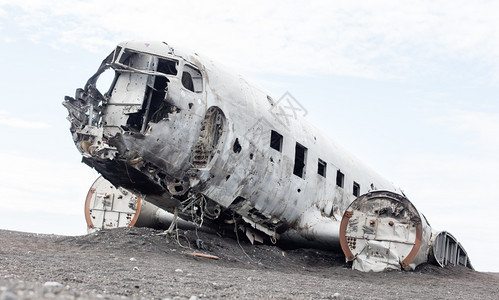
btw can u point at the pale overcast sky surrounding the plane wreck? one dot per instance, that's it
(409, 87)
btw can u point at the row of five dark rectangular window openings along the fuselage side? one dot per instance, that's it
(300, 162)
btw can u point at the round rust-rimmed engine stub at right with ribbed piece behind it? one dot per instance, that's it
(383, 230)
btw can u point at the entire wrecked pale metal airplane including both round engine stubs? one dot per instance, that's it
(175, 132)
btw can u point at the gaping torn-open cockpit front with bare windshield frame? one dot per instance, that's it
(138, 90)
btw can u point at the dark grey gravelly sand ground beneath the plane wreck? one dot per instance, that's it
(140, 263)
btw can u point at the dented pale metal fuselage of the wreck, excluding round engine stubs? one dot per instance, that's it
(186, 134)
